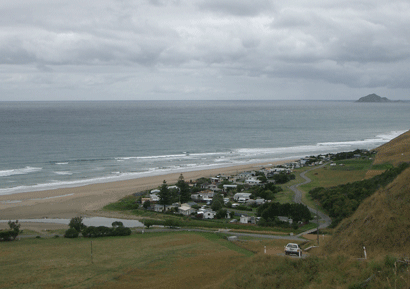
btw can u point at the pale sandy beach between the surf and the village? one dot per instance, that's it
(88, 200)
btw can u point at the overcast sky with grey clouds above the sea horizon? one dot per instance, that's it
(204, 49)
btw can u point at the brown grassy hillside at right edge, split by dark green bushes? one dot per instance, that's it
(382, 222)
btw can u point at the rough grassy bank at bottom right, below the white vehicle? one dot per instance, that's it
(341, 271)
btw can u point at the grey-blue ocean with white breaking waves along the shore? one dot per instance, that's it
(49, 145)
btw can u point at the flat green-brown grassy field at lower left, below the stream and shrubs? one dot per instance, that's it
(150, 260)
